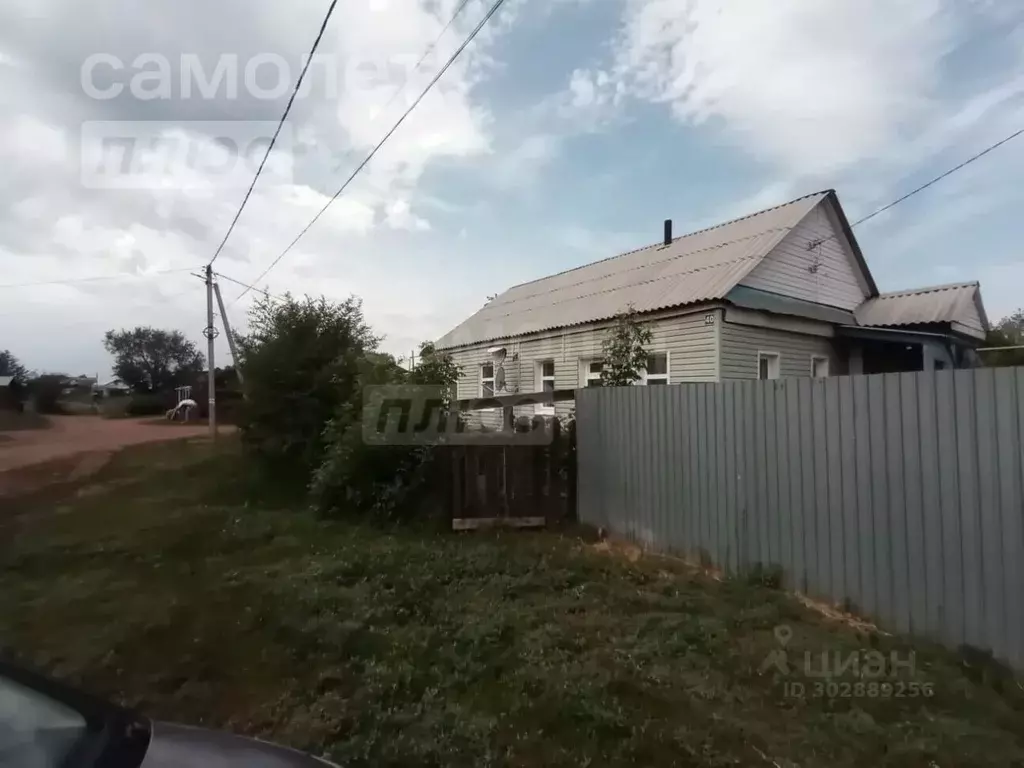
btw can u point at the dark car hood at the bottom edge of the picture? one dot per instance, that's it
(184, 747)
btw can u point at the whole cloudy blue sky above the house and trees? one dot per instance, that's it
(567, 133)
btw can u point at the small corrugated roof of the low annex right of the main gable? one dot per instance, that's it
(959, 305)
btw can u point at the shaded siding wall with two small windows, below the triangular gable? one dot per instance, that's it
(741, 346)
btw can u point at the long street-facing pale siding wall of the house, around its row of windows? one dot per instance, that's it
(689, 339)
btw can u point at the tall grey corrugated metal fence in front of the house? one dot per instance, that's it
(903, 494)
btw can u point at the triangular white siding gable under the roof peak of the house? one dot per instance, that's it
(790, 269)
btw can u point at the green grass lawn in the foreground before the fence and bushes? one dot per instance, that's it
(163, 585)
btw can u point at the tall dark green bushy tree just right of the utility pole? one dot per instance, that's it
(302, 363)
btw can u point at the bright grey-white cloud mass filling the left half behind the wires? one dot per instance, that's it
(172, 211)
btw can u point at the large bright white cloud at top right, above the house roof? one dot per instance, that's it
(813, 88)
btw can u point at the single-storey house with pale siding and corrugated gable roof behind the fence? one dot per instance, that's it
(780, 293)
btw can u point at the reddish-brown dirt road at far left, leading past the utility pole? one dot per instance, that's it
(75, 447)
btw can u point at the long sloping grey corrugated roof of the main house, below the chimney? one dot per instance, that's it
(700, 267)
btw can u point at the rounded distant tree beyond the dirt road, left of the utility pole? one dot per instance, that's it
(149, 360)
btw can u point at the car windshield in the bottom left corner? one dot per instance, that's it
(36, 732)
